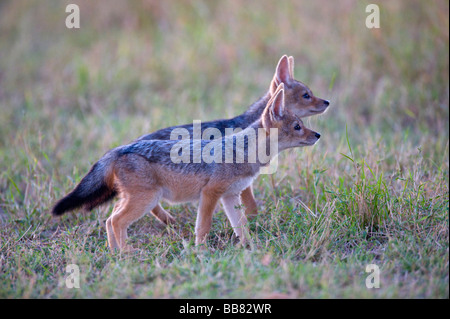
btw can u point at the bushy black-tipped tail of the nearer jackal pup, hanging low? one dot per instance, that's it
(95, 188)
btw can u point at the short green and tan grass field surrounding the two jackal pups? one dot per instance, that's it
(374, 190)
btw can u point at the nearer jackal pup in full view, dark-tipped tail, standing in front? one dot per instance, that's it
(143, 173)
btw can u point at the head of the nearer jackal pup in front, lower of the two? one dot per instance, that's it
(291, 130)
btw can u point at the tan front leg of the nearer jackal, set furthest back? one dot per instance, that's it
(208, 202)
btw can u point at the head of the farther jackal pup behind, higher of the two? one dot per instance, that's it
(298, 97)
